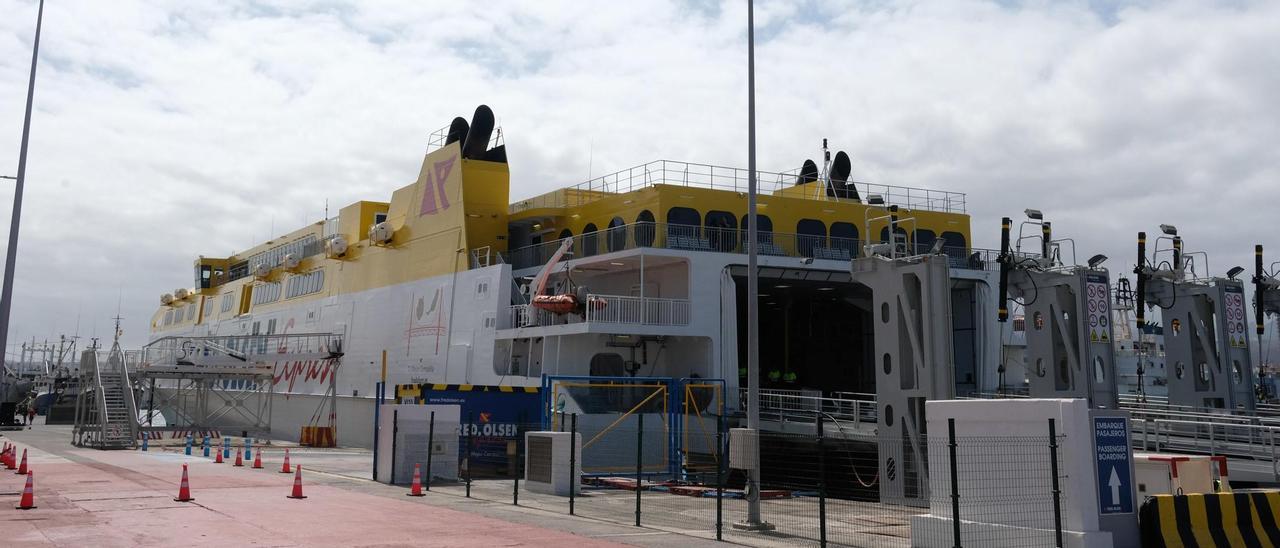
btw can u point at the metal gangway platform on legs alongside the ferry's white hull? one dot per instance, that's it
(225, 383)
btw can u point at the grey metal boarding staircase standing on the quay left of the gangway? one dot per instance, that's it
(107, 417)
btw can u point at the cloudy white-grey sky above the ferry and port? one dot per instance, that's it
(168, 130)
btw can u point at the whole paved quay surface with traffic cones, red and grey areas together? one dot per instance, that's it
(120, 499)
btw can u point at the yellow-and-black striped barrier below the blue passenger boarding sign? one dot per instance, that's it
(1212, 520)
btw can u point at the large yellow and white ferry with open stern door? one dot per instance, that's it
(438, 282)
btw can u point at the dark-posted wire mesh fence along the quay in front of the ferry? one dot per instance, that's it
(815, 490)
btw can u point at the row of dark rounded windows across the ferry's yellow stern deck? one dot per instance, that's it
(719, 231)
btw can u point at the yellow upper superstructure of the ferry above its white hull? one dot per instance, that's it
(458, 214)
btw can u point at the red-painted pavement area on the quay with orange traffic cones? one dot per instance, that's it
(126, 499)
